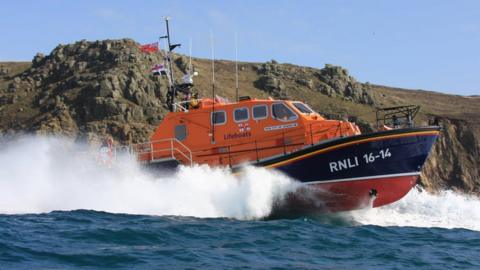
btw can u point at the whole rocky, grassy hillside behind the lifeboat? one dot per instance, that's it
(88, 90)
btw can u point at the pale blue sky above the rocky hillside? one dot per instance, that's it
(416, 44)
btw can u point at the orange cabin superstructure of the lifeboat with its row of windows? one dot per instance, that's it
(227, 134)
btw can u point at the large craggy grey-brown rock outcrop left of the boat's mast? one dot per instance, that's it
(89, 89)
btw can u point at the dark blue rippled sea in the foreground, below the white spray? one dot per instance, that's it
(99, 240)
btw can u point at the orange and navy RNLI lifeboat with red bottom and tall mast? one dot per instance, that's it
(340, 168)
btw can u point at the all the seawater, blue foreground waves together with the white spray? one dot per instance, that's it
(60, 209)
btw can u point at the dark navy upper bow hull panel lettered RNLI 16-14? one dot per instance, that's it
(406, 154)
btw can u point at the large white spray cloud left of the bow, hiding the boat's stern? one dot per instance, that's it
(45, 174)
